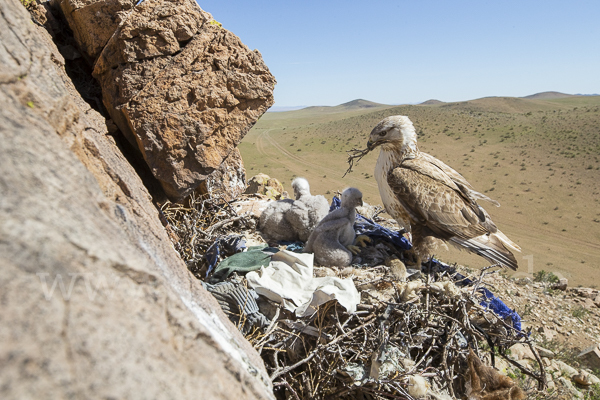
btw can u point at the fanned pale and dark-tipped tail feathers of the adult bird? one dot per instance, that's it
(491, 247)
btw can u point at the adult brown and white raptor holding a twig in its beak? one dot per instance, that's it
(432, 200)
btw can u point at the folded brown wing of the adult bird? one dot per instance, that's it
(434, 200)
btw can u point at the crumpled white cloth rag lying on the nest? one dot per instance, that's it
(289, 281)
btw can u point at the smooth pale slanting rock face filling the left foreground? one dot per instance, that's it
(94, 301)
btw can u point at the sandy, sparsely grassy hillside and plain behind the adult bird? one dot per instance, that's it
(539, 157)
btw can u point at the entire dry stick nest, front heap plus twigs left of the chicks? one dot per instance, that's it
(407, 338)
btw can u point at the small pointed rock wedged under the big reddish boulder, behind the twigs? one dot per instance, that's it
(227, 182)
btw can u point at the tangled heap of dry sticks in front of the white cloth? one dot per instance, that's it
(385, 349)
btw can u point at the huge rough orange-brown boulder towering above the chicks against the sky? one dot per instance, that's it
(182, 89)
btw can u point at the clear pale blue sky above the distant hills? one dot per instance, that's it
(396, 52)
